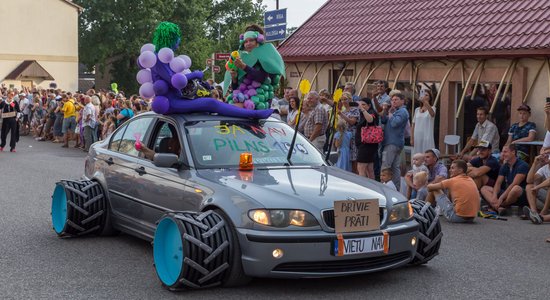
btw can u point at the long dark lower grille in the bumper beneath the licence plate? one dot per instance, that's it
(344, 265)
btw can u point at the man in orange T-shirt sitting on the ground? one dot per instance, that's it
(463, 191)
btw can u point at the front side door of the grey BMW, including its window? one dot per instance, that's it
(165, 189)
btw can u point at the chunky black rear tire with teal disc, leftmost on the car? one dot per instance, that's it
(86, 208)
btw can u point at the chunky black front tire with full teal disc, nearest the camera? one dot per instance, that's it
(202, 248)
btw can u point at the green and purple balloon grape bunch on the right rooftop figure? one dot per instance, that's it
(254, 94)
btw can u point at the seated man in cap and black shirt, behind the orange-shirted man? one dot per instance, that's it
(483, 168)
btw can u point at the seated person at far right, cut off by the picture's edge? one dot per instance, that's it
(538, 181)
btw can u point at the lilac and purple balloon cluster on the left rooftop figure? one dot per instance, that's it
(158, 87)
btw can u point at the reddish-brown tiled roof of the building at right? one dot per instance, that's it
(387, 27)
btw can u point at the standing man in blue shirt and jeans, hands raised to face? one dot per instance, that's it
(394, 136)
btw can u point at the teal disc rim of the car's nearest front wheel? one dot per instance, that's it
(168, 251)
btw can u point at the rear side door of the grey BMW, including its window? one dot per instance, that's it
(121, 158)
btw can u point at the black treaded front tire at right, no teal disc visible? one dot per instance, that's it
(429, 235)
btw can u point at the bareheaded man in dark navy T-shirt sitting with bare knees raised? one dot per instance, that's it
(510, 185)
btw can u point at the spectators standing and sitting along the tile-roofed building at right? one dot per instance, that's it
(483, 176)
